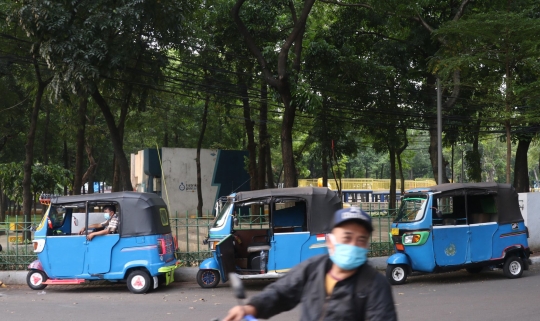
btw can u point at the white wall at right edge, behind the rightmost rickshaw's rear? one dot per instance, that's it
(530, 208)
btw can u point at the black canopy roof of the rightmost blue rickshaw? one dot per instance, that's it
(506, 197)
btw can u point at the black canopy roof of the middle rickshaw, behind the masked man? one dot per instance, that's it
(321, 203)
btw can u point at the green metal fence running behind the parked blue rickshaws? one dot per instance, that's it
(190, 232)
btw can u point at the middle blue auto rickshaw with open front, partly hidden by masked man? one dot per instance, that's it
(261, 234)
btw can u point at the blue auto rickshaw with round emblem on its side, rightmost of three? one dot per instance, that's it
(454, 226)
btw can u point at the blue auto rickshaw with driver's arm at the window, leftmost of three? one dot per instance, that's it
(142, 253)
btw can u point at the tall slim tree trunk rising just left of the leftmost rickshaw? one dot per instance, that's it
(28, 198)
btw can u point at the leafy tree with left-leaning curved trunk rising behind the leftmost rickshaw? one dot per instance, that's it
(88, 43)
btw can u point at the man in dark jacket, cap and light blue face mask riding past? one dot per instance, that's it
(338, 286)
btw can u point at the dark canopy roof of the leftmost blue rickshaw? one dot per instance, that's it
(139, 212)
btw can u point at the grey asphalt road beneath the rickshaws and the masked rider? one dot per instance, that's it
(449, 296)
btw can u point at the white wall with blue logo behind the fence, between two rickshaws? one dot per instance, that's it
(180, 183)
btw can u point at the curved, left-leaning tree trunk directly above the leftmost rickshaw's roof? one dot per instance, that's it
(117, 141)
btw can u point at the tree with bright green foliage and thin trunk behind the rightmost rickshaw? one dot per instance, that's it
(502, 42)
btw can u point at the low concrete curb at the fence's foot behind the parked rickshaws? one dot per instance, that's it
(187, 274)
